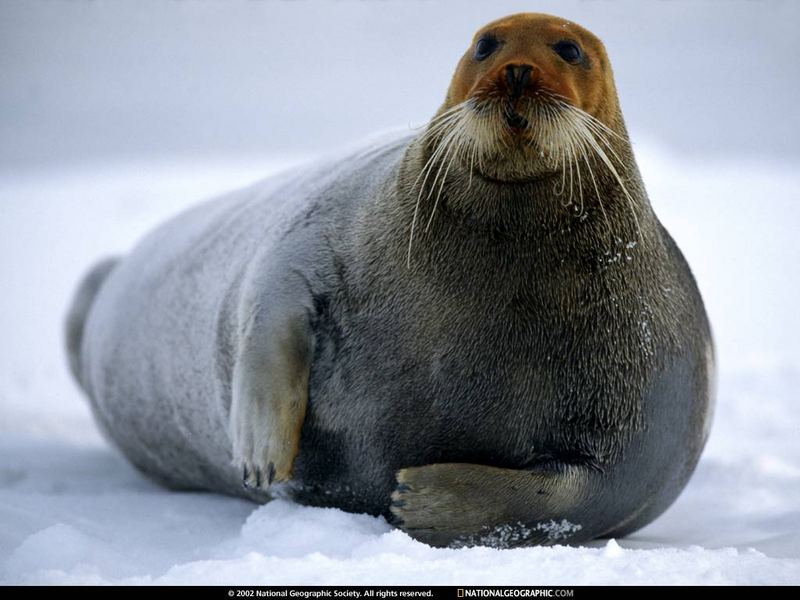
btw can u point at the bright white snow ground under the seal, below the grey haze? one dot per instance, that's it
(73, 511)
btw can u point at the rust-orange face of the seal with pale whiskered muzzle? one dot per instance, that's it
(533, 80)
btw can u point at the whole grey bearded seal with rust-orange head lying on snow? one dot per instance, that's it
(481, 332)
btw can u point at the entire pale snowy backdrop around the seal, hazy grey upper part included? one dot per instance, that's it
(116, 115)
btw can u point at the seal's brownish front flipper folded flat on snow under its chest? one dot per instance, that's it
(458, 504)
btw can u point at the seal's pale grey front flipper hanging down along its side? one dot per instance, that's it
(270, 375)
